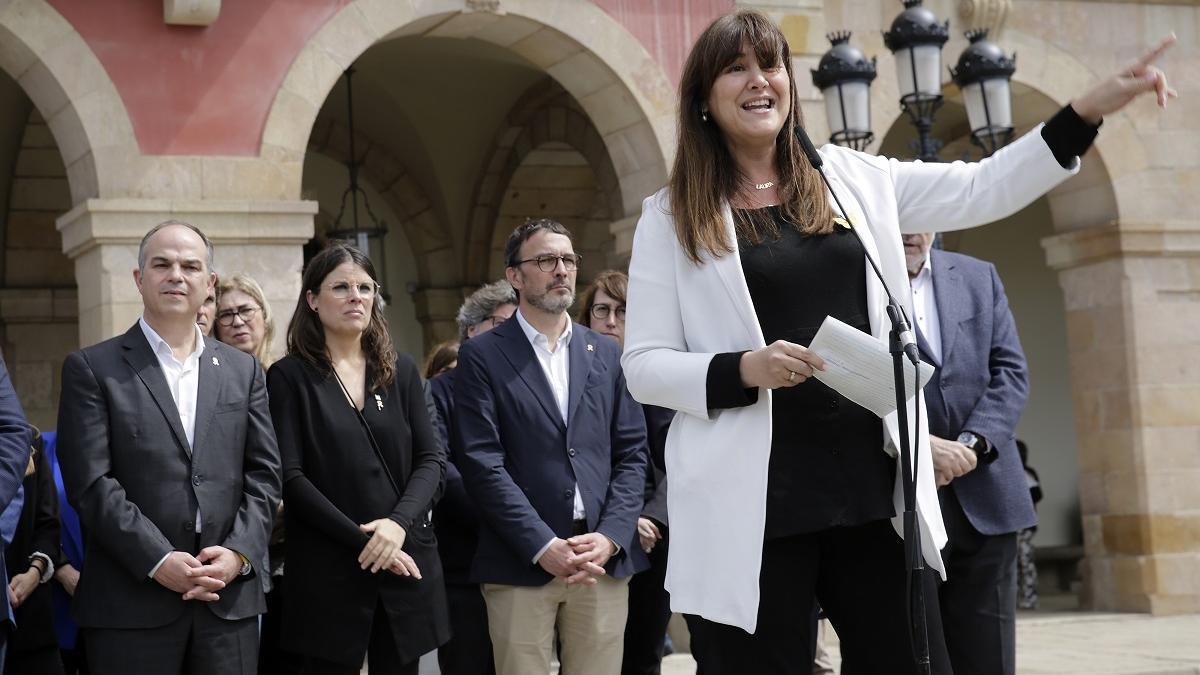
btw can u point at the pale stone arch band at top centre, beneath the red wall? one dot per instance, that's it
(622, 89)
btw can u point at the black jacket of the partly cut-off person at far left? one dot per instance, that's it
(38, 531)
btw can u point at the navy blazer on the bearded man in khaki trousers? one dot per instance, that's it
(521, 463)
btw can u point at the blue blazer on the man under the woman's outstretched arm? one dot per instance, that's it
(981, 386)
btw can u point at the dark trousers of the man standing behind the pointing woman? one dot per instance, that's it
(979, 599)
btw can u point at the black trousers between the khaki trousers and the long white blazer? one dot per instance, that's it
(650, 612)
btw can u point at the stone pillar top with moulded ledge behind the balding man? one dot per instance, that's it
(262, 240)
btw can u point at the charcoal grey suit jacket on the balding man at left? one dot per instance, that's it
(136, 482)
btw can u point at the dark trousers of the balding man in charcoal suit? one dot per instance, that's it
(199, 643)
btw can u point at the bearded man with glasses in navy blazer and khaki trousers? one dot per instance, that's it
(553, 450)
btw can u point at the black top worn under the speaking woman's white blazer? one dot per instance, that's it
(827, 464)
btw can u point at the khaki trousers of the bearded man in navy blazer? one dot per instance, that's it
(591, 623)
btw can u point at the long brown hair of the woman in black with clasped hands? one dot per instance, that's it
(307, 334)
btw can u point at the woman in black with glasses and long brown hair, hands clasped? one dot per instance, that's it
(362, 464)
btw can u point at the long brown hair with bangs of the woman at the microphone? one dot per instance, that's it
(705, 176)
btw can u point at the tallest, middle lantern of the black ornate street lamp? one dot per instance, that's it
(916, 40)
